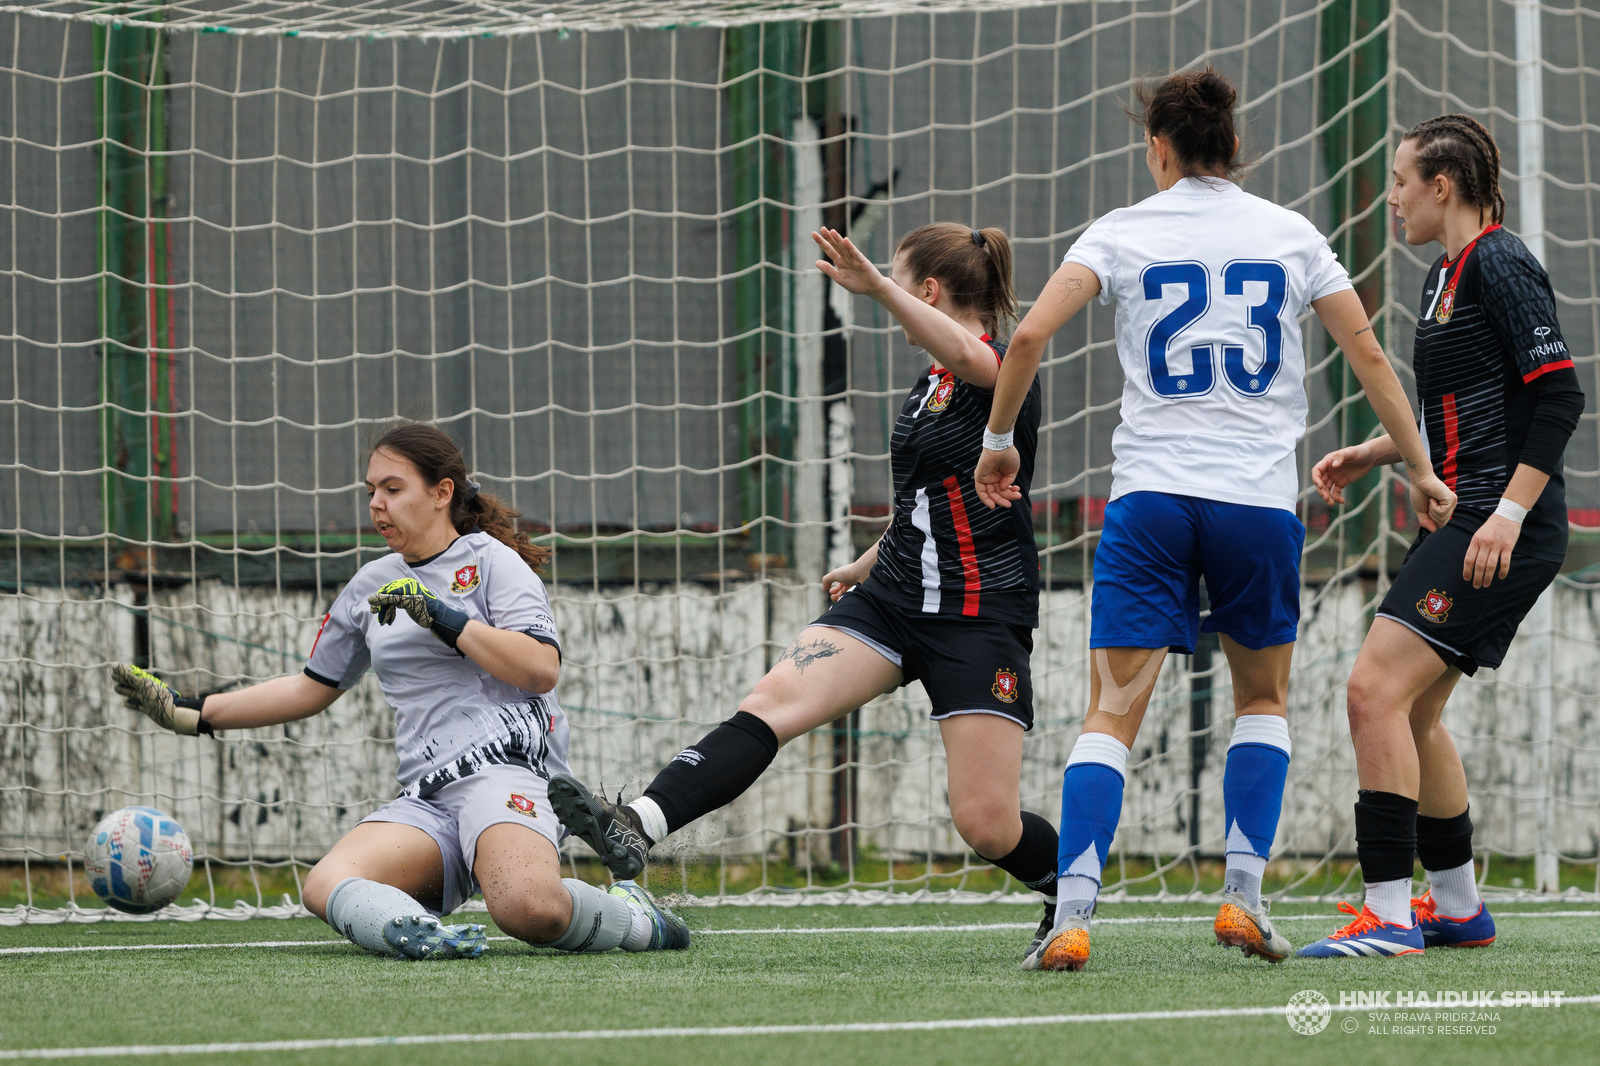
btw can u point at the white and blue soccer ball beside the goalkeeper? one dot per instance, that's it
(138, 860)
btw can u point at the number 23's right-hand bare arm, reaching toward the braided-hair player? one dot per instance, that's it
(1346, 323)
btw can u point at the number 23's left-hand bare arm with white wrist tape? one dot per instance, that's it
(1065, 297)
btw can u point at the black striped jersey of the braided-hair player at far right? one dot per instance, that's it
(1497, 382)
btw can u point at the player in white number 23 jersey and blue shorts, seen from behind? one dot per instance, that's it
(1210, 284)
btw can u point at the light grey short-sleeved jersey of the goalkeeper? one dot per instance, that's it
(452, 718)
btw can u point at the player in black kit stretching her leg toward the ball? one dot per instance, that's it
(950, 596)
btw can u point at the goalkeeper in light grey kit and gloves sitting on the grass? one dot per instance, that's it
(458, 628)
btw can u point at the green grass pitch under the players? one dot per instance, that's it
(742, 972)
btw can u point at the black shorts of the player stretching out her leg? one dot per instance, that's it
(967, 665)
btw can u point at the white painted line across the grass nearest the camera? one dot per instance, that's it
(628, 1035)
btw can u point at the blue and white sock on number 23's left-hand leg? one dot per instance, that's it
(1090, 808)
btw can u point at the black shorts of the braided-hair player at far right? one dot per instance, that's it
(1470, 628)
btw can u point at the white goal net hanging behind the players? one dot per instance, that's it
(242, 239)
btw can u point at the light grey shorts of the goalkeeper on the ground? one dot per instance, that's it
(458, 812)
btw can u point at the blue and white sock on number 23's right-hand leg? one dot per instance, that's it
(1258, 763)
